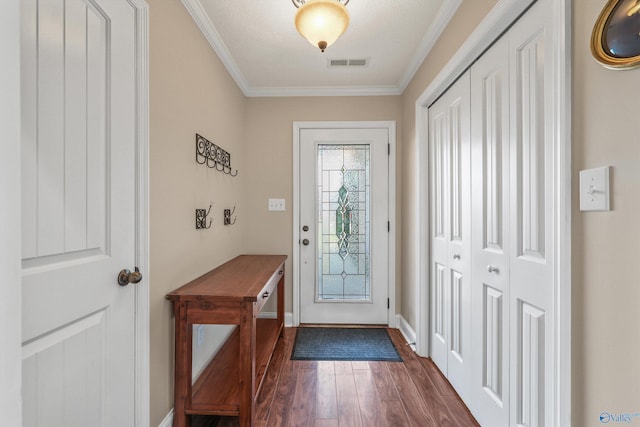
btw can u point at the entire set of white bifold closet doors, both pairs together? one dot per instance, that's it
(492, 195)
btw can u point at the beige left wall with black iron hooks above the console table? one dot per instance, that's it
(190, 91)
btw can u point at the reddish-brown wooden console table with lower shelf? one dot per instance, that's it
(232, 294)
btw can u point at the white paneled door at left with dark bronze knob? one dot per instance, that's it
(78, 211)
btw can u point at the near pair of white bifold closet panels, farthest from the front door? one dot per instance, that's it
(512, 249)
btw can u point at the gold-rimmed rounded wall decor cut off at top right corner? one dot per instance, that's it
(615, 40)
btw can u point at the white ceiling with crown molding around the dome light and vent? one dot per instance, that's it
(259, 45)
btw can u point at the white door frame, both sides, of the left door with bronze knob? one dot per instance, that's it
(11, 331)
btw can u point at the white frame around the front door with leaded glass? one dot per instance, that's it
(391, 127)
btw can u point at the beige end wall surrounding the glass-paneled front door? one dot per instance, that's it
(269, 159)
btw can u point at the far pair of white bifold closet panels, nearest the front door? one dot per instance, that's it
(449, 127)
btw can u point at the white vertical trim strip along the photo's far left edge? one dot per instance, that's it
(10, 239)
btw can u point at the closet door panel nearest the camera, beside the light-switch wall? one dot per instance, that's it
(532, 218)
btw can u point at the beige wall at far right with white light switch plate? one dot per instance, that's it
(606, 245)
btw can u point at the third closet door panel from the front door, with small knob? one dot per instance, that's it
(489, 400)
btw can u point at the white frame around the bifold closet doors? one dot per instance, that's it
(492, 26)
